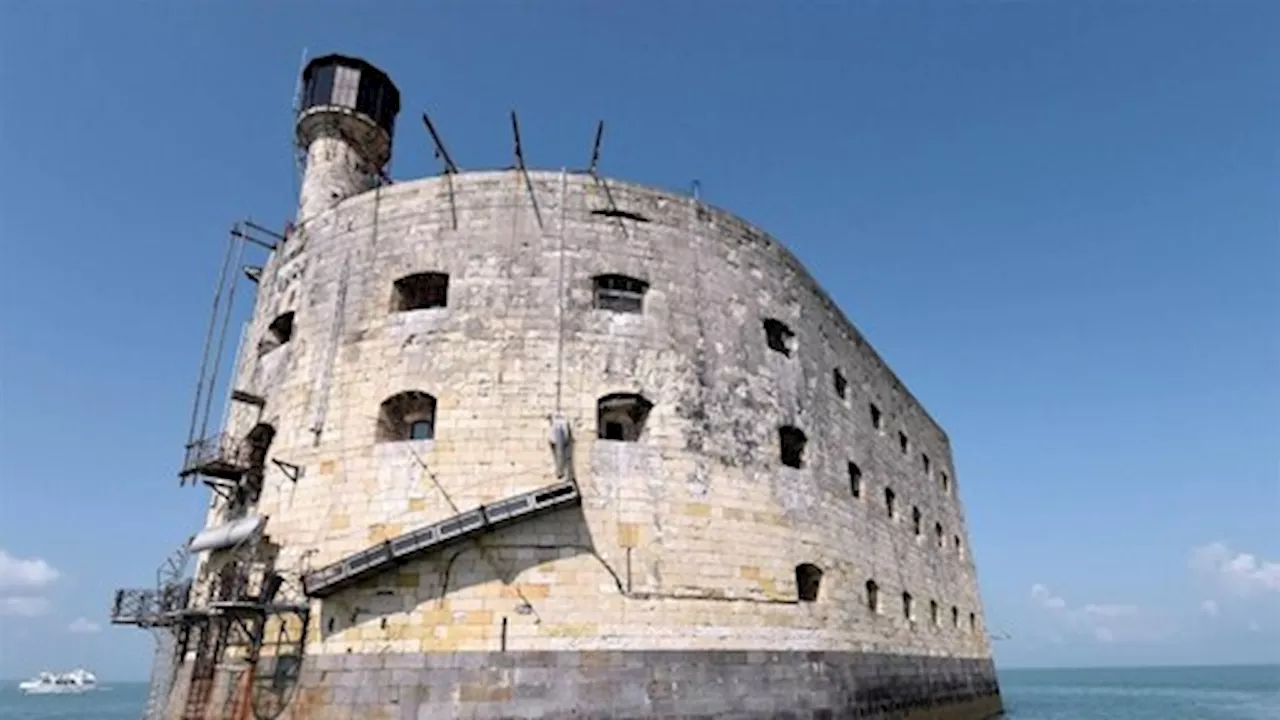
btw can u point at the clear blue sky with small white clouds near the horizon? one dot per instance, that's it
(1057, 221)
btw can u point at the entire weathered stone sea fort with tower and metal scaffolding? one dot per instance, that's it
(543, 444)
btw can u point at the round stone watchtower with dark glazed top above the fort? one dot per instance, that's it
(346, 121)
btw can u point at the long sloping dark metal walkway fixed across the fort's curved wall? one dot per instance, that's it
(401, 549)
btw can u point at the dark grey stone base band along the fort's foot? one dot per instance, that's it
(720, 685)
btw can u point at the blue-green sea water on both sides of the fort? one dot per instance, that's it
(1130, 694)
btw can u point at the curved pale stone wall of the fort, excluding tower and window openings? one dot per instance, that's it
(688, 540)
